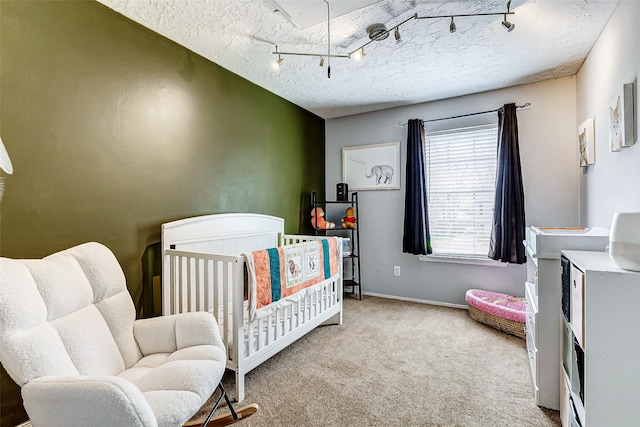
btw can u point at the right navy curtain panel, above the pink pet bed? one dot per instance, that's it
(508, 228)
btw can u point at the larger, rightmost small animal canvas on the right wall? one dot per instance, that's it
(622, 118)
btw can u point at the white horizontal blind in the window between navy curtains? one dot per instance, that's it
(461, 173)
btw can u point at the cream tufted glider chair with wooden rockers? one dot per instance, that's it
(69, 339)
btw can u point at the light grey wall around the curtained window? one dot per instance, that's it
(548, 151)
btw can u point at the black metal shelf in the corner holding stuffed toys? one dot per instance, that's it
(351, 266)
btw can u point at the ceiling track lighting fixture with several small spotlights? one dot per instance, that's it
(379, 32)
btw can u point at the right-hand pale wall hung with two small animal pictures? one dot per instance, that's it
(611, 184)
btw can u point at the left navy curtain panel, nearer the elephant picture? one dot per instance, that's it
(416, 239)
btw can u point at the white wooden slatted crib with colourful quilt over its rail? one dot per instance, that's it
(203, 269)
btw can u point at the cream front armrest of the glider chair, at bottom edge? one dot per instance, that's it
(78, 400)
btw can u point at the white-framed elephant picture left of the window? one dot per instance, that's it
(372, 167)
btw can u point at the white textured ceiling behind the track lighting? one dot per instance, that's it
(550, 40)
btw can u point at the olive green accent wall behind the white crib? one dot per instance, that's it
(114, 130)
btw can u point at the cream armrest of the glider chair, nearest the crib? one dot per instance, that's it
(166, 334)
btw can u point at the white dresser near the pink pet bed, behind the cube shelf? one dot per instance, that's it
(543, 294)
